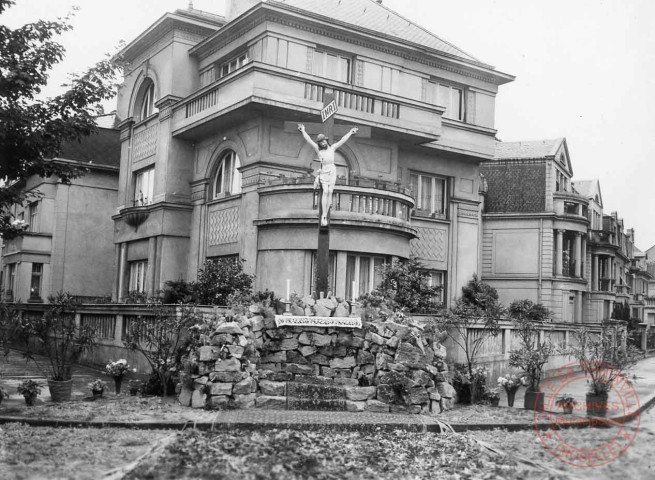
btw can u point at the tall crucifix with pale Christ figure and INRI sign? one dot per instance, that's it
(325, 180)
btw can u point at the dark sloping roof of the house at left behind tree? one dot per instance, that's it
(101, 148)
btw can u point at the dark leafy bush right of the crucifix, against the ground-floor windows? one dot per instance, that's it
(404, 286)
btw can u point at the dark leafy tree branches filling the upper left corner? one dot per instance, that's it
(32, 131)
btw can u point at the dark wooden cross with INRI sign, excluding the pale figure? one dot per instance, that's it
(323, 250)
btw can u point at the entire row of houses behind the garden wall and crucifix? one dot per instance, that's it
(203, 160)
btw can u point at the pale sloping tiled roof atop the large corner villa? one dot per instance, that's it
(375, 17)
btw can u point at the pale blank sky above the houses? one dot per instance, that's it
(583, 71)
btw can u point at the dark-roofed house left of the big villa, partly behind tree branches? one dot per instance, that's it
(67, 243)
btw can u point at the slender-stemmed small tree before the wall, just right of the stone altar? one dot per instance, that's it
(471, 322)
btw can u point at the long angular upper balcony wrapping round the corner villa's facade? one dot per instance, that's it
(295, 95)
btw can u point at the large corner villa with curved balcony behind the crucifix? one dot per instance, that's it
(212, 164)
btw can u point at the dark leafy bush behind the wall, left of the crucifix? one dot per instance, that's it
(221, 279)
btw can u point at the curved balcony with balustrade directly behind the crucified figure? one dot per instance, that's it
(358, 202)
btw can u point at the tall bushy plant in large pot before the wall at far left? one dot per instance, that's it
(60, 339)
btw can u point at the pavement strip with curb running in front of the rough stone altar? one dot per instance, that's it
(155, 413)
